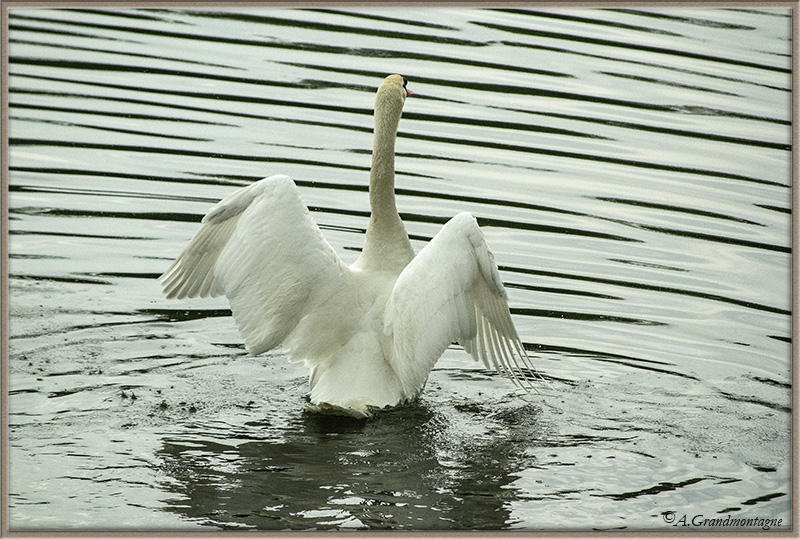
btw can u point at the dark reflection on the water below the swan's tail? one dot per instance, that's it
(404, 471)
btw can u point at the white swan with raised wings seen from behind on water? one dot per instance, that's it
(370, 332)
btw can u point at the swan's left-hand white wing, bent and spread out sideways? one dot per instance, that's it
(259, 247)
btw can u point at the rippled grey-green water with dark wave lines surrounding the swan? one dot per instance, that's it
(630, 169)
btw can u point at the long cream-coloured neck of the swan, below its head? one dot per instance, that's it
(387, 246)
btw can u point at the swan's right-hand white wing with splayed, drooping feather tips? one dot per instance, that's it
(452, 292)
